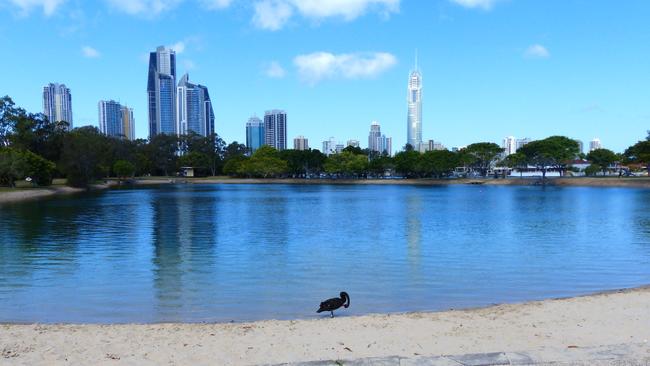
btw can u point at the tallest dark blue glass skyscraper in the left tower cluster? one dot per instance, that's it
(161, 90)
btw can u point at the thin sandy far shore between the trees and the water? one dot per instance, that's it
(25, 194)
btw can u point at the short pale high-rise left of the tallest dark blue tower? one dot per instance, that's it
(116, 120)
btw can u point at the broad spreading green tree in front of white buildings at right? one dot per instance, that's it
(552, 152)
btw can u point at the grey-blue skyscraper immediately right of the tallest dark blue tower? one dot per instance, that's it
(193, 108)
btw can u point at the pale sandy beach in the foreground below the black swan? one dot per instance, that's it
(547, 327)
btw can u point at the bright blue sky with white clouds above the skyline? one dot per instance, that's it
(491, 68)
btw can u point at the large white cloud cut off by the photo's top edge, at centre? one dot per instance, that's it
(274, 14)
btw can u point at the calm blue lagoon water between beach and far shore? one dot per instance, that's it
(196, 253)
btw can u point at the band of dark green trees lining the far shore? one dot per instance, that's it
(33, 147)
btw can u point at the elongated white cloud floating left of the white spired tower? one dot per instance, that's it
(318, 66)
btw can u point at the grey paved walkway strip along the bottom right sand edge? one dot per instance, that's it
(617, 355)
